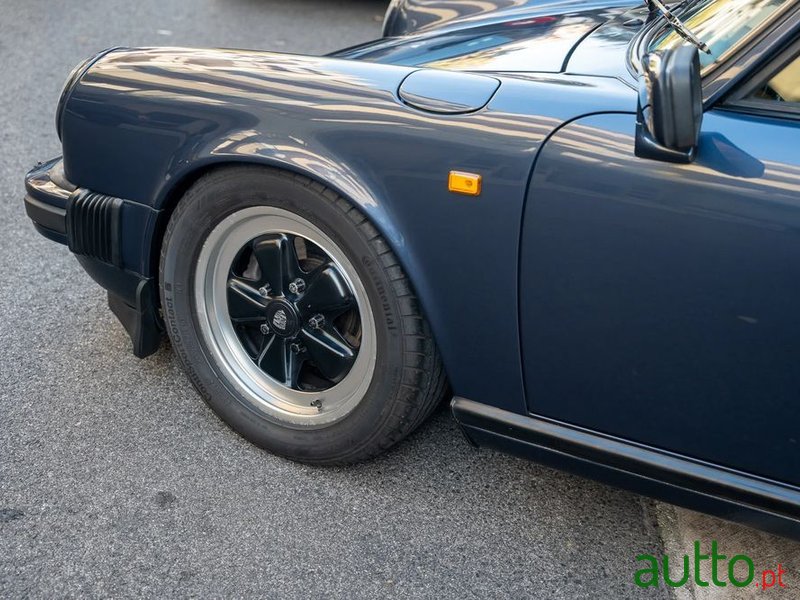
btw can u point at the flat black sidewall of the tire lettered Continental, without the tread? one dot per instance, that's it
(205, 205)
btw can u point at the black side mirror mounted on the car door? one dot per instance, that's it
(670, 107)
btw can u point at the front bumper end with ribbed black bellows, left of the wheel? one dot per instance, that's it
(92, 226)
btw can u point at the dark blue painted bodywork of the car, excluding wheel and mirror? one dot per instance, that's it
(629, 300)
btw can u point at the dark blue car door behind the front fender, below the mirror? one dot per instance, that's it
(659, 302)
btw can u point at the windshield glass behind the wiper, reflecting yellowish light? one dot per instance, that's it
(722, 24)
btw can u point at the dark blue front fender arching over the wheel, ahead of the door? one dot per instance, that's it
(160, 115)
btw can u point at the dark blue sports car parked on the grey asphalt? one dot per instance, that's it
(580, 221)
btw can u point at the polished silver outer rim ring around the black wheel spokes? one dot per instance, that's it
(271, 397)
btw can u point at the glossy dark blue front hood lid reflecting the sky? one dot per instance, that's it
(529, 39)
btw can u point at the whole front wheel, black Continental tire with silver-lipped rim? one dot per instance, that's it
(293, 318)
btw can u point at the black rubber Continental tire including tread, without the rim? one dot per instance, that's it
(408, 381)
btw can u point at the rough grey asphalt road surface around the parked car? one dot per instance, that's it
(115, 478)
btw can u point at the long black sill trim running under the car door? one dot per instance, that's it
(761, 503)
